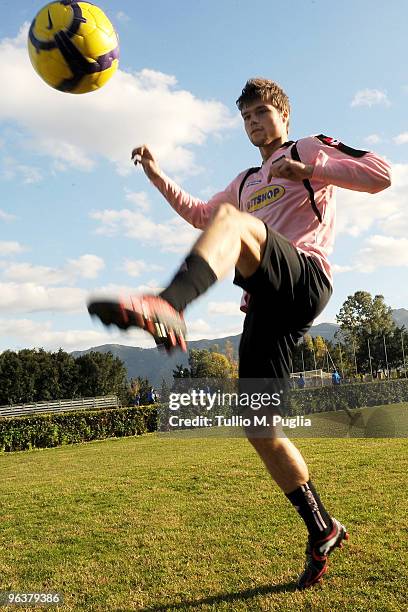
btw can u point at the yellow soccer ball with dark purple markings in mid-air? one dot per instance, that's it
(73, 46)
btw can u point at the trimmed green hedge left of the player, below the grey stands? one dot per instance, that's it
(49, 430)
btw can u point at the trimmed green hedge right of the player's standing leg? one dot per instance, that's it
(341, 397)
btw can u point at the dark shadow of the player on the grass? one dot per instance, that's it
(228, 597)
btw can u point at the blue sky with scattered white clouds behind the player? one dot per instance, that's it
(77, 218)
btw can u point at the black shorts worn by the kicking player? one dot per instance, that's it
(288, 291)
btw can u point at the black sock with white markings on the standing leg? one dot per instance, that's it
(308, 503)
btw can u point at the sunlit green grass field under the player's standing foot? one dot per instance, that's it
(155, 523)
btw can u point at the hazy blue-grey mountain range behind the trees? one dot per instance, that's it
(153, 365)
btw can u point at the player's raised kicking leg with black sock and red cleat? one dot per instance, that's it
(232, 238)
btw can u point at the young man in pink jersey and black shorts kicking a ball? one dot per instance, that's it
(275, 225)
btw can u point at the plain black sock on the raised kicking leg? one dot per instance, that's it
(194, 277)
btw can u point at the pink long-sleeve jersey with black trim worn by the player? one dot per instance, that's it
(303, 212)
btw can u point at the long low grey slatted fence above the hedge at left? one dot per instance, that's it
(110, 401)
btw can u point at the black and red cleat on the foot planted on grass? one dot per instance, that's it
(317, 553)
